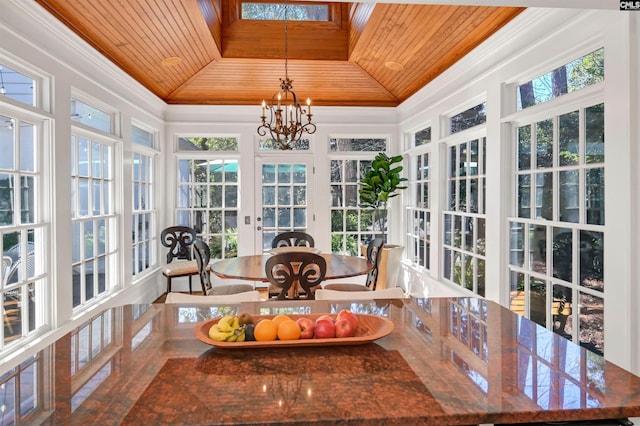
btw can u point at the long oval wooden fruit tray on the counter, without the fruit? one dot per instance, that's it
(371, 328)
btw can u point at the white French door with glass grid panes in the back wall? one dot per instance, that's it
(284, 197)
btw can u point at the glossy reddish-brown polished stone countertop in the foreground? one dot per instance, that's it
(448, 361)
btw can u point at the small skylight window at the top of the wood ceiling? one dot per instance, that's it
(276, 11)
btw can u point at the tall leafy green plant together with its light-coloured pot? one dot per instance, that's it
(379, 184)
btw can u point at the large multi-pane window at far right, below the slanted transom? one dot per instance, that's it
(557, 234)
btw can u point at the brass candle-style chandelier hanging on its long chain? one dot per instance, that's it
(285, 112)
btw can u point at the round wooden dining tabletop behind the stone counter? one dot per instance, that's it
(252, 267)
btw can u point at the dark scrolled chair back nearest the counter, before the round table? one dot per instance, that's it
(285, 269)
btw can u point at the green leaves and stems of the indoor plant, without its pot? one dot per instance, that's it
(381, 183)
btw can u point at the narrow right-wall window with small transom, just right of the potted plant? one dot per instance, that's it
(419, 211)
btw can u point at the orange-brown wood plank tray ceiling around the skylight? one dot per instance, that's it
(201, 52)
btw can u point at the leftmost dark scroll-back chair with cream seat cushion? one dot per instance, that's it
(179, 240)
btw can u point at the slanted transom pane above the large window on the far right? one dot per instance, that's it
(575, 75)
